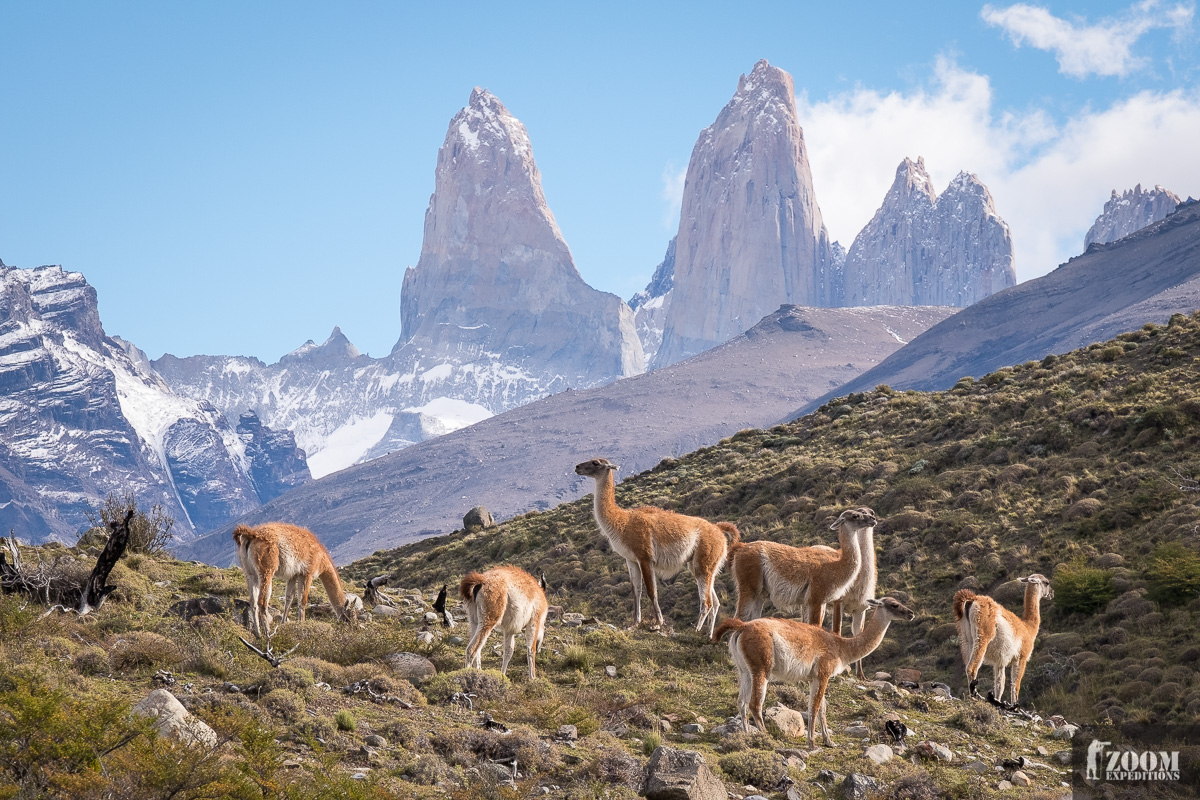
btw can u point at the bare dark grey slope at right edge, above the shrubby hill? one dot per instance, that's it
(1113, 288)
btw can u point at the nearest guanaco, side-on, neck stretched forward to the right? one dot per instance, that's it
(785, 649)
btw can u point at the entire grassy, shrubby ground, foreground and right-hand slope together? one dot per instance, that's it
(1081, 467)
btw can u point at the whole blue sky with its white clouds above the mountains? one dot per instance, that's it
(239, 178)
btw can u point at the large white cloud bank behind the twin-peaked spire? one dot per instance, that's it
(1049, 182)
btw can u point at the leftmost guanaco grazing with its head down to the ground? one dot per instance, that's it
(295, 555)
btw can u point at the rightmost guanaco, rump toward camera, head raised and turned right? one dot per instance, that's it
(993, 635)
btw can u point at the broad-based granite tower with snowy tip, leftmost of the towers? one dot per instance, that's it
(496, 276)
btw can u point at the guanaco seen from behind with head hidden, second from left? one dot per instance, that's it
(507, 598)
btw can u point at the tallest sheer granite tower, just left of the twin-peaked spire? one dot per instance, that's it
(751, 232)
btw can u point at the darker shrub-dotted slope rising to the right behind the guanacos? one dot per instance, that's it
(1084, 468)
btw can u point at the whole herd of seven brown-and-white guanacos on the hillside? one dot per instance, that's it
(655, 543)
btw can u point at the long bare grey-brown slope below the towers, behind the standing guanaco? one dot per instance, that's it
(518, 461)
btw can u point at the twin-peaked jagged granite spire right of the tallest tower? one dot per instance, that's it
(923, 250)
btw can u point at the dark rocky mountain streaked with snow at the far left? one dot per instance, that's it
(83, 416)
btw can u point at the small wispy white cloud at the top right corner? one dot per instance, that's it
(1105, 49)
